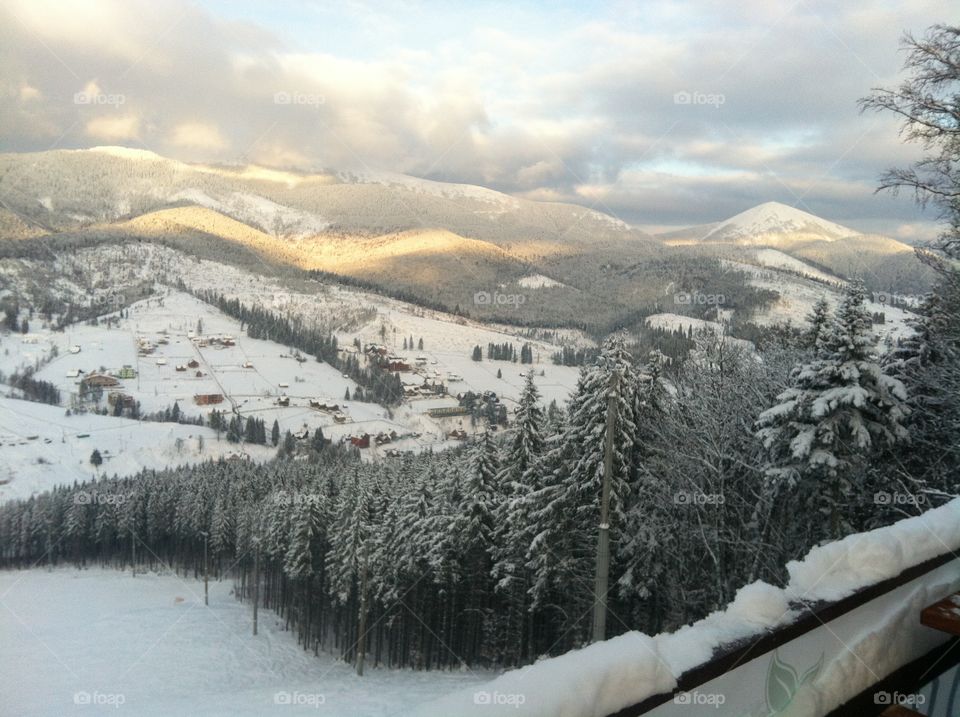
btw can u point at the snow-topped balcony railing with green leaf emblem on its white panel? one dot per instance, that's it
(769, 652)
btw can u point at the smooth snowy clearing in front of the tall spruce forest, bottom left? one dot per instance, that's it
(148, 646)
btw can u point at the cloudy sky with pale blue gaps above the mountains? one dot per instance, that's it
(661, 113)
